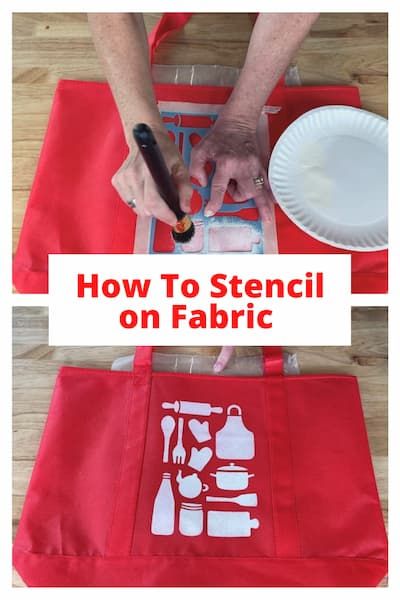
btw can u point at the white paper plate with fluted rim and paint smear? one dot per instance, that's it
(328, 173)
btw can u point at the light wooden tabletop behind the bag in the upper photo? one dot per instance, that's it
(342, 48)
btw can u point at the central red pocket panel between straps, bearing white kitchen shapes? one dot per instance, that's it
(205, 484)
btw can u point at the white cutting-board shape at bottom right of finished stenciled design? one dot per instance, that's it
(224, 523)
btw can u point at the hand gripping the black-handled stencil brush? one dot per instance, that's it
(136, 187)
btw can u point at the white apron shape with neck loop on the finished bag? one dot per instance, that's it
(234, 440)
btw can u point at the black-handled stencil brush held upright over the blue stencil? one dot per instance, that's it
(183, 231)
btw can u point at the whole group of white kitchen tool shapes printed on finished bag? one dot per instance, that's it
(233, 441)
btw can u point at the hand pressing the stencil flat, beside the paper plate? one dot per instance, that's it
(234, 149)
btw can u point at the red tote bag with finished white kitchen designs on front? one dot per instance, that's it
(107, 507)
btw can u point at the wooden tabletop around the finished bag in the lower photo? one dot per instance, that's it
(36, 365)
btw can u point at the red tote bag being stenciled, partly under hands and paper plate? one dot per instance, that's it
(73, 207)
